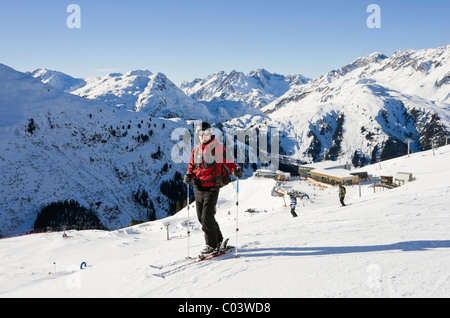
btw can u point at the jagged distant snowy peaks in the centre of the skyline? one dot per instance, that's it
(258, 88)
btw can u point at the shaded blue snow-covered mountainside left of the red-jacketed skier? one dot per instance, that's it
(58, 147)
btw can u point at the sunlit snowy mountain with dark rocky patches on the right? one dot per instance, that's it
(367, 109)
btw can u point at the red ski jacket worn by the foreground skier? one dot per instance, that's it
(207, 164)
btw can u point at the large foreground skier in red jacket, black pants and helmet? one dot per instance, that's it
(207, 169)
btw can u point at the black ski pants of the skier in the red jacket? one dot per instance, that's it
(205, 202)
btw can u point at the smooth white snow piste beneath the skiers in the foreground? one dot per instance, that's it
(393, 243)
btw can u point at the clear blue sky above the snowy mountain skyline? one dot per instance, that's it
(186, 39)
